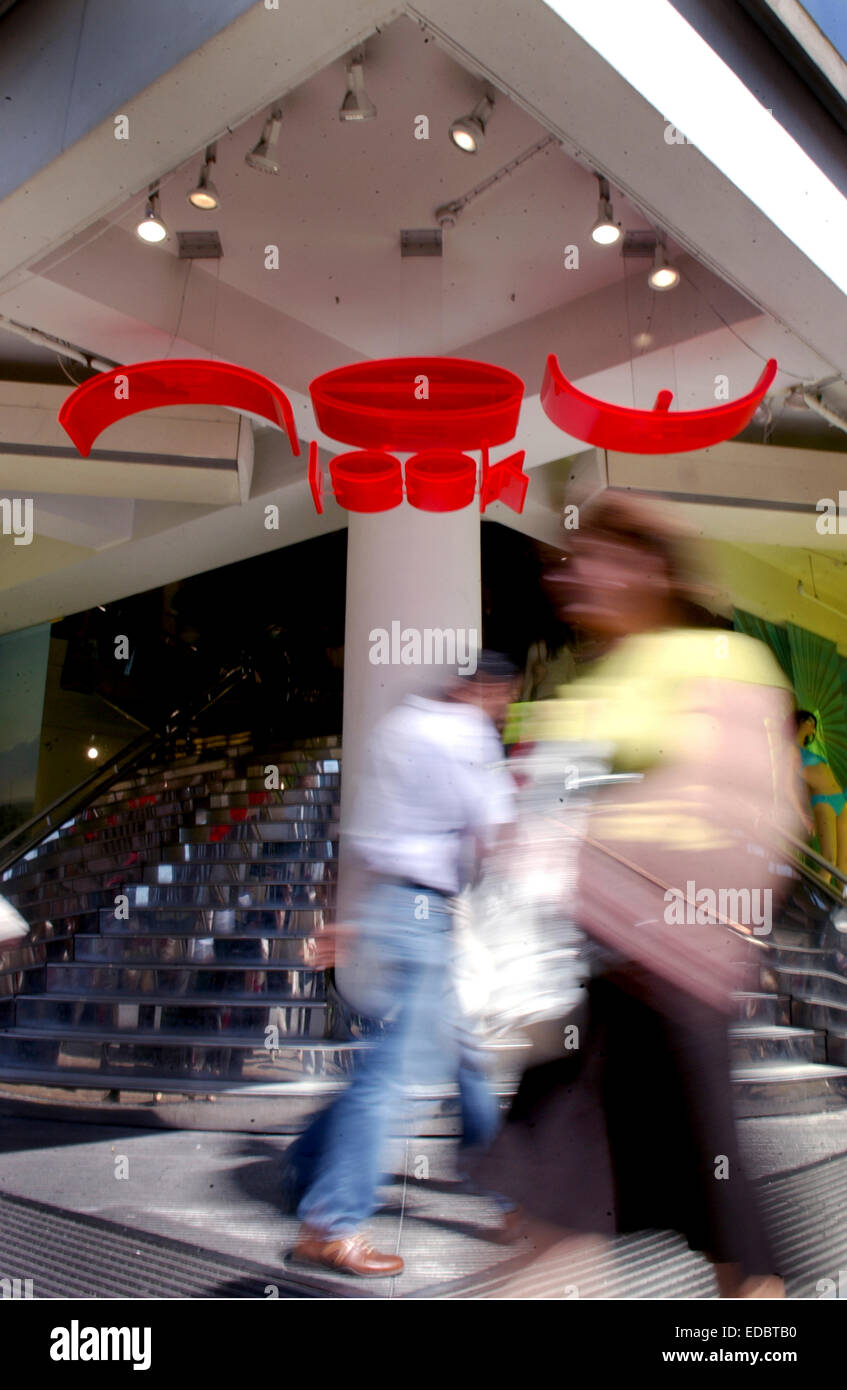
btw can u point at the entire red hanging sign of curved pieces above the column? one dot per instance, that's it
(433, 408)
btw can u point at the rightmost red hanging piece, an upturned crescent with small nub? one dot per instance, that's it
(646, 432)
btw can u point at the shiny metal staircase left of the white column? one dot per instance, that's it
(175, 922)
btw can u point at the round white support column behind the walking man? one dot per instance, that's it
(422, 571)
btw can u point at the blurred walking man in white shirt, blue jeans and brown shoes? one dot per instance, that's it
(433, 804)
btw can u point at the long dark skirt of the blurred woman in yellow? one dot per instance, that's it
(635, 1131)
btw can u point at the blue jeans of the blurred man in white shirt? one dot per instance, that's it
(337, 1164)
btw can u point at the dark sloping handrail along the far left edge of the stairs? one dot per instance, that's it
(31, 835)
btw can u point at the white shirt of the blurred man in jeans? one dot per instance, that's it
(435, 780)
